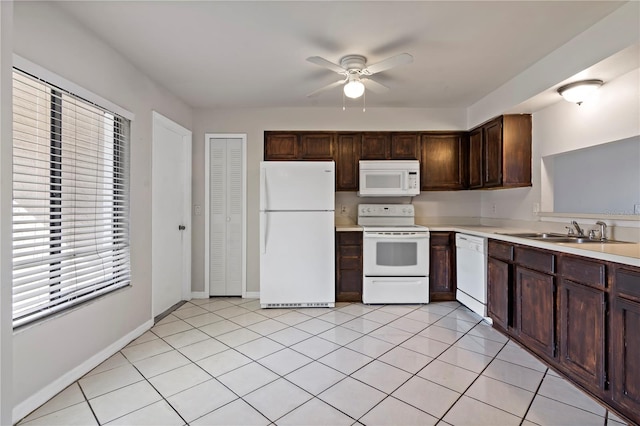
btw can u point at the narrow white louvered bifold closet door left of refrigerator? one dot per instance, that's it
(225, 244)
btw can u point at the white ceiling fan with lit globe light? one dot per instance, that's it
(356, 73)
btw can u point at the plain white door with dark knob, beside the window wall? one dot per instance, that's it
(171, 218)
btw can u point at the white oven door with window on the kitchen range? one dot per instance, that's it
(396, 254)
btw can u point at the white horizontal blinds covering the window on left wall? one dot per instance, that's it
(70, 200)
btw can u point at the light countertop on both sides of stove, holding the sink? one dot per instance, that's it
(627, 254)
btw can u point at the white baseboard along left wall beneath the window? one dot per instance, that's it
(52, 389)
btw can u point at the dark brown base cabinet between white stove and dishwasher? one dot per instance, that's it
(442, 283)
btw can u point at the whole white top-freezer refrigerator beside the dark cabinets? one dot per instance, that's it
(297, 261)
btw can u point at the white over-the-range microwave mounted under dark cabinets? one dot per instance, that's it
(389, 178)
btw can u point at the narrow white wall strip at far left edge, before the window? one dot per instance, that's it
(6, 338)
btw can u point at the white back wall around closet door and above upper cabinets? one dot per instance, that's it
(254, 122)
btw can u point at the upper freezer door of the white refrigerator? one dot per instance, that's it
(297, 185)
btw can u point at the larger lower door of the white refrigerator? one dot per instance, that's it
(297, 263)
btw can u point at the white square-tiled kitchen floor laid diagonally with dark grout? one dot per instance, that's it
(225, 361)
